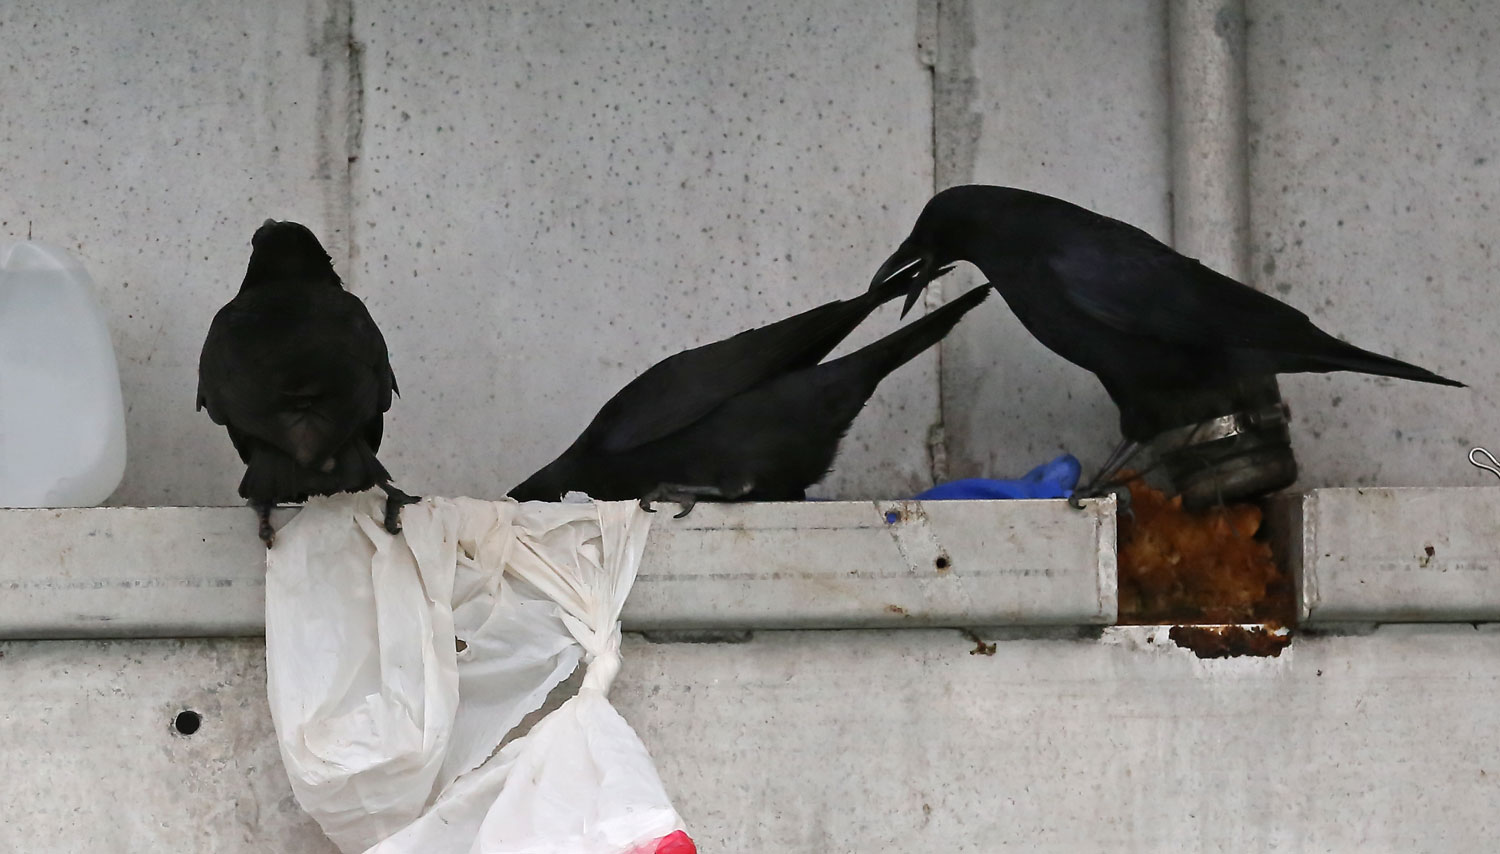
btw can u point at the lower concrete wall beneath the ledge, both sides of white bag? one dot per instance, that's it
(844, 742)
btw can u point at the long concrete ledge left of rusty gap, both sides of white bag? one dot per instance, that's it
(181, 573)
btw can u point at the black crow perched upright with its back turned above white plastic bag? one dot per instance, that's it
(299, 374)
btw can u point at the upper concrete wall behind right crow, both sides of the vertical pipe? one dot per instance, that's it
(1375, 166)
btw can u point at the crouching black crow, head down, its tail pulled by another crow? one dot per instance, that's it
(754, 418)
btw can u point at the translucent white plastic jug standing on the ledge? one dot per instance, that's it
(62, 419)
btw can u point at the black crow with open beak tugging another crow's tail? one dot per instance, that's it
(1154, 326)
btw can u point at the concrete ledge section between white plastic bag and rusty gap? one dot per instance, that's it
(878, 564)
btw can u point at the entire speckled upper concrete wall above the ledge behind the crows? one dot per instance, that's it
(538, 203)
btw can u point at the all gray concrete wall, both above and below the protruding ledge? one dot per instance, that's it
(542, 205)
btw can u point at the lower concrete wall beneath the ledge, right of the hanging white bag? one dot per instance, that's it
(904, 741)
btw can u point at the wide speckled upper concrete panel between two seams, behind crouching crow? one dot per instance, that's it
(551, 199)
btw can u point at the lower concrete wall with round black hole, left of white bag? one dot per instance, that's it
(97, 765)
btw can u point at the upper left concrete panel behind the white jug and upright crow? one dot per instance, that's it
(152, 139)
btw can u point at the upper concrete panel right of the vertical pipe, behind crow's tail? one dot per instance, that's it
(1375, 188)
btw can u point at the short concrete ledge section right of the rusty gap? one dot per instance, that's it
(1393, 556)
